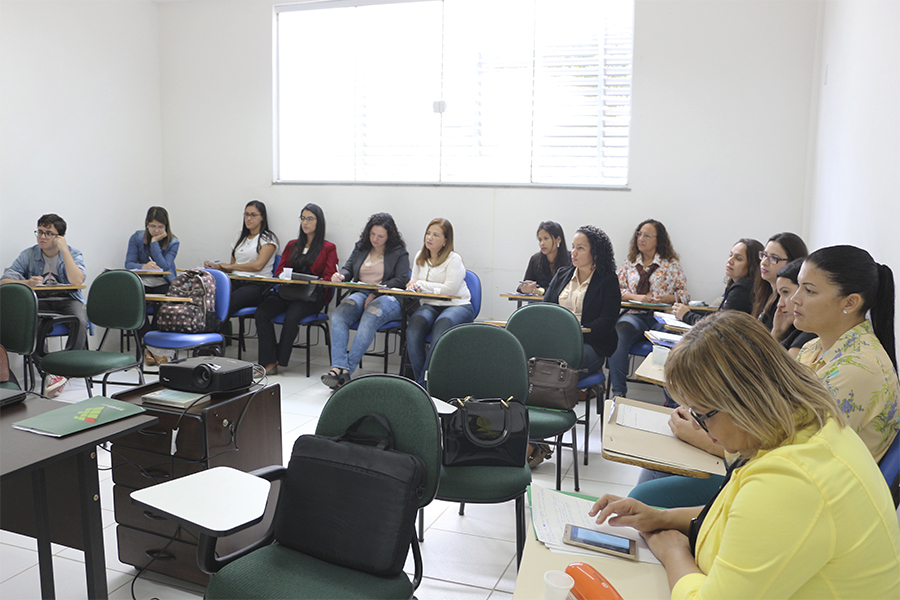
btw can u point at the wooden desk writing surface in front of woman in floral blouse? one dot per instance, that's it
(651, 450)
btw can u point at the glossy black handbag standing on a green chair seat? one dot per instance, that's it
(490, 432)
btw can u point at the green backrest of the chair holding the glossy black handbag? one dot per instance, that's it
(480, 360)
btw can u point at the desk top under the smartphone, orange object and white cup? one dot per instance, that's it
(631, 579)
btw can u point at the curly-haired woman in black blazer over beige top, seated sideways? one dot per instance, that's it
(590, 290)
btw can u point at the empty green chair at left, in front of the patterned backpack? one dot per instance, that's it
(116, 301)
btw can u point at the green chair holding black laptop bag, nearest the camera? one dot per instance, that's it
(267, 570)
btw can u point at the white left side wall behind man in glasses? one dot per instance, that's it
(80, 123)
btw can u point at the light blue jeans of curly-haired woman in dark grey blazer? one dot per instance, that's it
(380, 311)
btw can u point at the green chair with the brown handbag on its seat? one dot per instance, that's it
(551, 331)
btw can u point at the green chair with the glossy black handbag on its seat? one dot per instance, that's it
(484, 361)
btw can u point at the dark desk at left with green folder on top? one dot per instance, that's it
(51, 489)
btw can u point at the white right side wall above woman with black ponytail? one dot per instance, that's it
(857, 178)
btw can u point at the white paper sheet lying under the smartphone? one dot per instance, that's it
(551, 511)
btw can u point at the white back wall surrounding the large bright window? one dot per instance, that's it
(722, 96)
